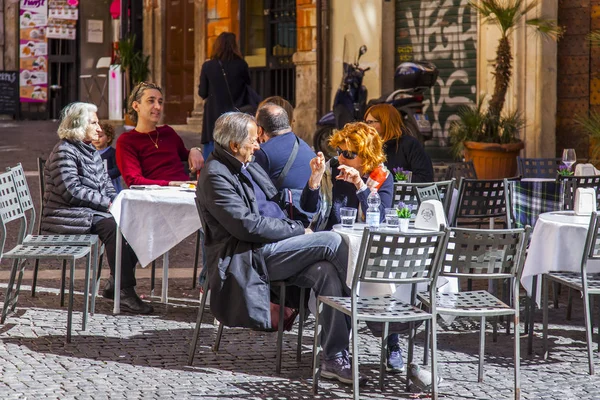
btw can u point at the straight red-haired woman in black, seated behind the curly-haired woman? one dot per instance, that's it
(401, 149)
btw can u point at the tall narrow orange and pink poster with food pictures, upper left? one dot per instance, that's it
(33, 51)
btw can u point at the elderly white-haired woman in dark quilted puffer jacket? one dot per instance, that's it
(78, 193)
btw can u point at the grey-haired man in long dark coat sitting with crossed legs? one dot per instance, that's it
(249, 242)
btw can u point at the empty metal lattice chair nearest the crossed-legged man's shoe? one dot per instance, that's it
(388, 258)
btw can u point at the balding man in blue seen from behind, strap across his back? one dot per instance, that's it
(278, 145)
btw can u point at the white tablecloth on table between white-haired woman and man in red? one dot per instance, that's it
(154, 221)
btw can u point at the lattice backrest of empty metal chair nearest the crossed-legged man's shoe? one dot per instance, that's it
(396, 258)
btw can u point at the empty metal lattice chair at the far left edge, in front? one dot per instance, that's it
(10, 210)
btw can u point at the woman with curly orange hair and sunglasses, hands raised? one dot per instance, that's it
(346, 181)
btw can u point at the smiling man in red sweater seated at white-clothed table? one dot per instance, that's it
(151, 154)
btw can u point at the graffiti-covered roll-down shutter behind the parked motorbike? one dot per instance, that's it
(443, 32)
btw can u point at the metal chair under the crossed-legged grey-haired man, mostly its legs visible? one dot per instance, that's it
(282, 285)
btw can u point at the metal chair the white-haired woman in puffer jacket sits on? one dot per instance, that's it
(88, 240)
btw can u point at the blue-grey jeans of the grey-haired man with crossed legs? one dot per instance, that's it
(318, 261)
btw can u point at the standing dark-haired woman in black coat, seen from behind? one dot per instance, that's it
(223, 82)
